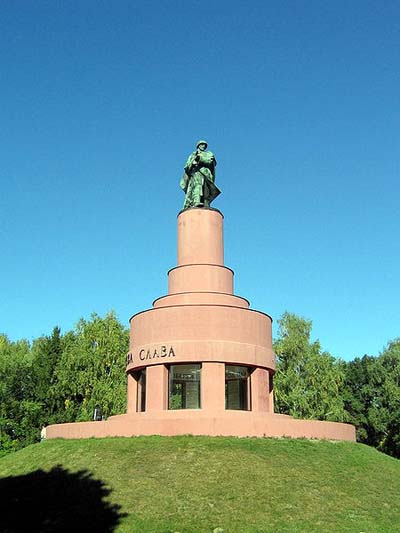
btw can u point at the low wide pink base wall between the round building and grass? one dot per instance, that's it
(194, 422)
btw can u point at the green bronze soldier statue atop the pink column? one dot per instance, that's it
(198, 181)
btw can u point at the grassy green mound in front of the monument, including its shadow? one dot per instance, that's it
(190, 484)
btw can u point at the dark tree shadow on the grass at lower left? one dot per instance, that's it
(56, 501)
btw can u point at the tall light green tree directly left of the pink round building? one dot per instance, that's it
(91, 370)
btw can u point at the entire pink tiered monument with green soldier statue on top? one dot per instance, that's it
(200, 360)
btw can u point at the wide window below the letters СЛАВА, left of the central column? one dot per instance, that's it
(184, 386)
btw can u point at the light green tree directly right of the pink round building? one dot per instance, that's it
(307, 382)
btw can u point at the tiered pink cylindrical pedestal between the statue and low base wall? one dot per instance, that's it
(201, 324)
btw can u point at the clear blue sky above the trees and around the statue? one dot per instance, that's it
(102, 101)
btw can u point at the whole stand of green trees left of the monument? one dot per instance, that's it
(61, 378)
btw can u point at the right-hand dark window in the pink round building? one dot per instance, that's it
(237, 387)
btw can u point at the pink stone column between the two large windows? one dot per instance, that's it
(213, 387)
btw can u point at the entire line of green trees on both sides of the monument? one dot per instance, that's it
(64, 377)
